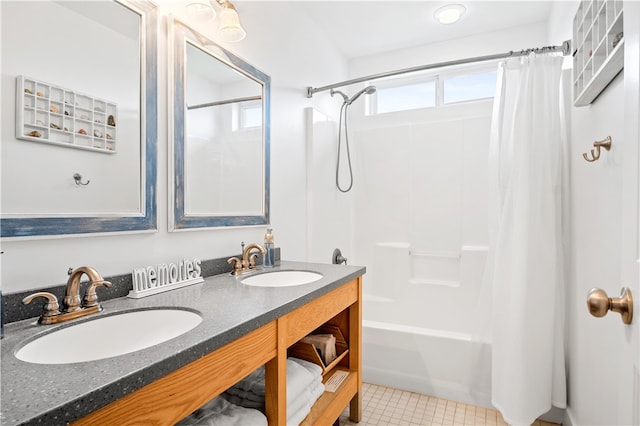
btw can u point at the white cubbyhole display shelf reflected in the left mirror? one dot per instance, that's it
(55, 115)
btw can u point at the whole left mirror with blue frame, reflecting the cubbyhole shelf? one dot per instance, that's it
(68, 66)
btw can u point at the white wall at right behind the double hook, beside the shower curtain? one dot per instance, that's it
(595, 248)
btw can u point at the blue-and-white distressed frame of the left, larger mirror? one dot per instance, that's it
(147, 220)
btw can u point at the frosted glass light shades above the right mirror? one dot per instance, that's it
(229, 28)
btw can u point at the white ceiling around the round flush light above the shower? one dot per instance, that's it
(361, 28)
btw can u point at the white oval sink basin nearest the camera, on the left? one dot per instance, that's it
(108, 336)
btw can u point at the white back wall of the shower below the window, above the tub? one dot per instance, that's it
(422, 188)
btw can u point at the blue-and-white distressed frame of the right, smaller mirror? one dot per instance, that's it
(179, 35)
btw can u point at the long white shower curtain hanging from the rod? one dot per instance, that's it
(527, 184)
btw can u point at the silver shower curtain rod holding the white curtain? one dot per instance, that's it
(565, 48)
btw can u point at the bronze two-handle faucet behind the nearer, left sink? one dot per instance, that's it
(72, 306)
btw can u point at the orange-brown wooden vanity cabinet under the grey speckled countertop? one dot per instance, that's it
(180, 392)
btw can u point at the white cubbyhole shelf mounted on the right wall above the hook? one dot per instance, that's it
(599, 55)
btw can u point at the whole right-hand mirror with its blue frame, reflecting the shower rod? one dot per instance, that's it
(220, 127)
